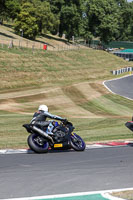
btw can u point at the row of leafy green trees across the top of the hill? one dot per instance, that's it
(108, 20)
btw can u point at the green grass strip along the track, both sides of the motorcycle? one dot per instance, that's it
(13, 135)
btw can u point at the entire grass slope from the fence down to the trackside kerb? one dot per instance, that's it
(70, 83)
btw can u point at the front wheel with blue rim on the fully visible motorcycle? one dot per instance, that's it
(77, 142)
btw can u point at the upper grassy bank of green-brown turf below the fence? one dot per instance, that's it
(46, 68)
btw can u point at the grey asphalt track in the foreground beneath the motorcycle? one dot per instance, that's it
(58, 172)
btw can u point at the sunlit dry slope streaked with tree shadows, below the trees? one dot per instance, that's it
(53, 43)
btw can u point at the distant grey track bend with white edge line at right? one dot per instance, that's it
(122, 86)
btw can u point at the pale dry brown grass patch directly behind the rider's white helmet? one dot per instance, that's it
(27, 103)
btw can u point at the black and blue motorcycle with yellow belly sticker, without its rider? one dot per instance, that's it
(54, 136)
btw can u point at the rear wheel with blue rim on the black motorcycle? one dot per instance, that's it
(37, 143)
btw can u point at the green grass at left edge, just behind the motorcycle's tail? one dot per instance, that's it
(12, 134)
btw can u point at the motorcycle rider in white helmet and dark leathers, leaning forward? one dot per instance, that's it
(39, 118)
